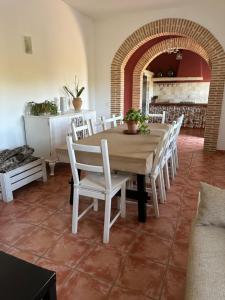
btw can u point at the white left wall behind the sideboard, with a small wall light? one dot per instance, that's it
(63, 45)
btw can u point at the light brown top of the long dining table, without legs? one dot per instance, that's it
(128, 153)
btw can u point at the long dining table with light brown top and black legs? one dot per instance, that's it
(129, 153)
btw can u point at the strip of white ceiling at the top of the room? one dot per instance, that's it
(102, 8)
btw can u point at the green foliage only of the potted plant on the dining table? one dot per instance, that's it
(139, 118)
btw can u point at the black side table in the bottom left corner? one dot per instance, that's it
(20, 280)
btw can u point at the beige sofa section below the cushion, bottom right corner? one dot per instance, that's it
(206, 264)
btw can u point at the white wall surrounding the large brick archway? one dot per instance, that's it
(111, 32)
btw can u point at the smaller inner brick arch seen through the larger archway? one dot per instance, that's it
(152, 53)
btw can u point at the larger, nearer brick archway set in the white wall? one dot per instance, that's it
(187, 29)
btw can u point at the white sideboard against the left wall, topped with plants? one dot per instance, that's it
(44, 133)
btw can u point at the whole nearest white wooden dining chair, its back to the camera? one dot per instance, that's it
(98, 183)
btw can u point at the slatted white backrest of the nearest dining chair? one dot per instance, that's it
(104, 168)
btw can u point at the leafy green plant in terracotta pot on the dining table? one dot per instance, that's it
(136, 122)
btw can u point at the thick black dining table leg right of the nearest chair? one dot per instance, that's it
(142, 198)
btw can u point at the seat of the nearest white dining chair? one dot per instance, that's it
(96, 182)
